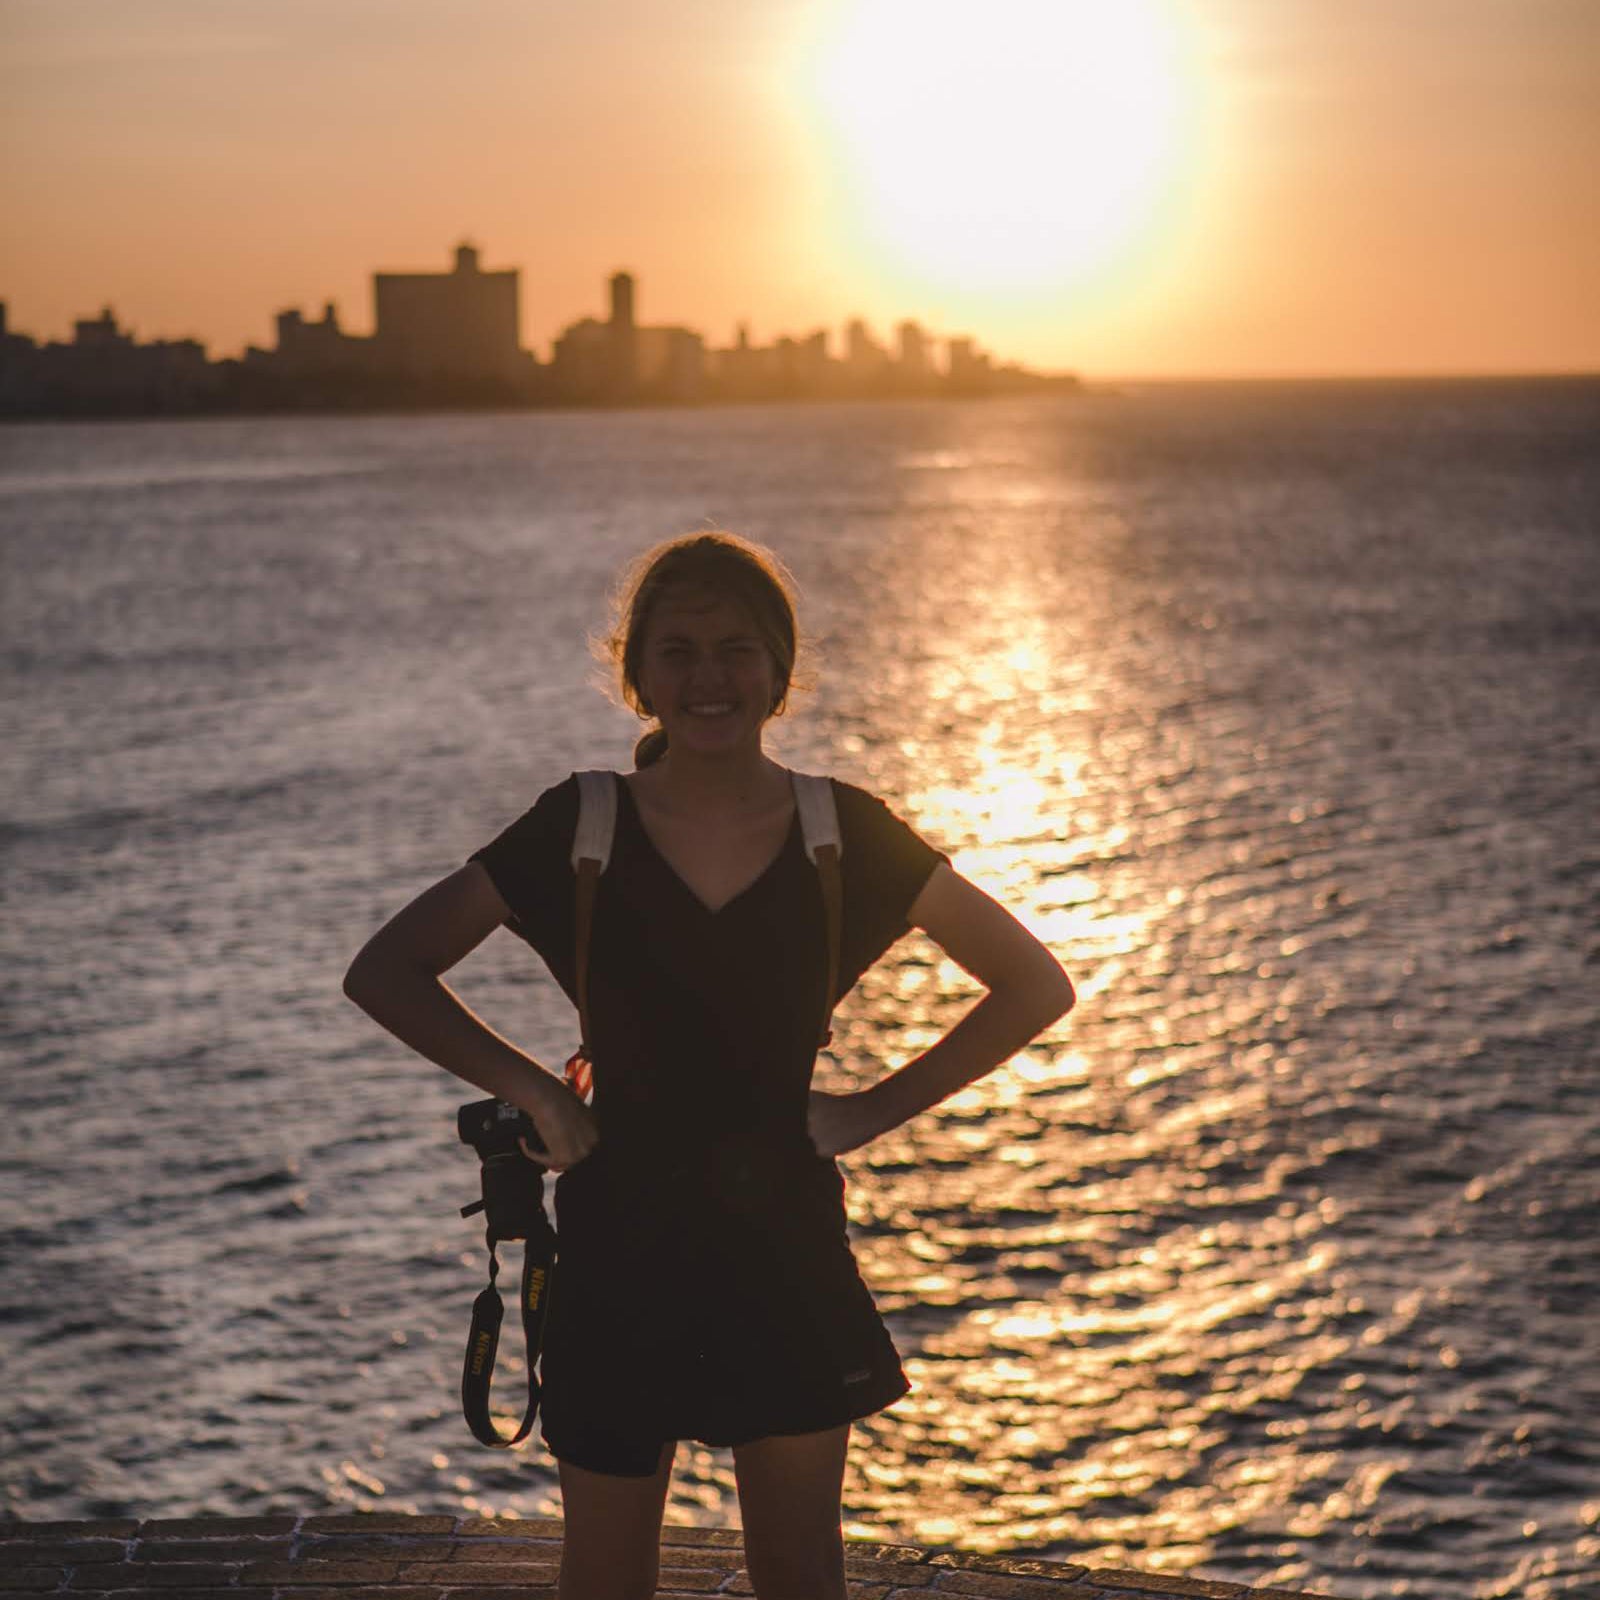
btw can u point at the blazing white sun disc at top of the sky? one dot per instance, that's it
(1006, 145)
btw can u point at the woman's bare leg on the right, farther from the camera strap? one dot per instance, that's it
(790, 1489)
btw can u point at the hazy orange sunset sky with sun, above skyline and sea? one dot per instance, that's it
(1118, 186)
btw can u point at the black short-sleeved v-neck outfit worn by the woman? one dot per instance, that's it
(705, 1286)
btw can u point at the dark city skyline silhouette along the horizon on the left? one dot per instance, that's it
(454, 338)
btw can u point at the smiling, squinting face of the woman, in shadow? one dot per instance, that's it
(706, 673)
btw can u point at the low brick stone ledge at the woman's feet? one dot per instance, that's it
(380, 1556)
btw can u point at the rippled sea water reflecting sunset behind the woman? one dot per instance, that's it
(1273, 710)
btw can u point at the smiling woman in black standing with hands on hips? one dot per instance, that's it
(706, 1287)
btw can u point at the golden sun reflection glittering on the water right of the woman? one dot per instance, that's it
(1097, 1262)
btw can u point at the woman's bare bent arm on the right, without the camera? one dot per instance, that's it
(1028, 991)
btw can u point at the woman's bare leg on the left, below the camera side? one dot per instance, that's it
(612, 1532)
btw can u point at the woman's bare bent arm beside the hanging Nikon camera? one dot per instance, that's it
(396, 980)
